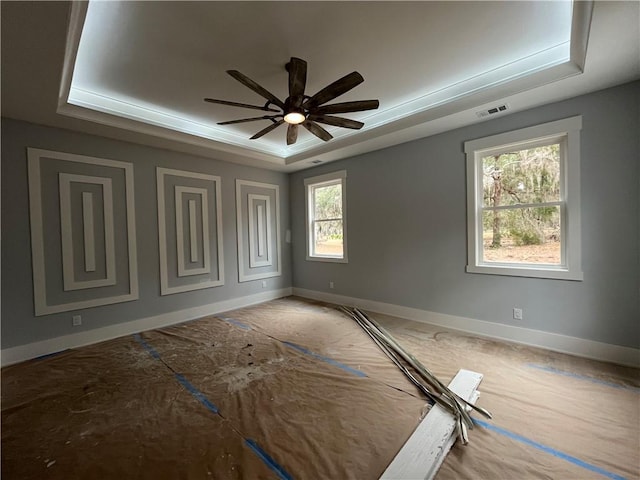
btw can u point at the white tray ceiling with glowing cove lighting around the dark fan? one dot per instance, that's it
(139, 71)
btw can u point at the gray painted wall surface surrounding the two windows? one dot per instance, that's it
(406, 214)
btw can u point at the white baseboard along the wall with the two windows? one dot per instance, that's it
(536, 338)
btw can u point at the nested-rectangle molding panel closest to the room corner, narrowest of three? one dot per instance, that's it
(258, 223)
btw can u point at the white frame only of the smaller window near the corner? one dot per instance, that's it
(333, 178)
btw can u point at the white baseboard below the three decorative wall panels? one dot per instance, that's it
(21, 353)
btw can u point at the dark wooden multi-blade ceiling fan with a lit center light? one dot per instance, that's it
(300, 109)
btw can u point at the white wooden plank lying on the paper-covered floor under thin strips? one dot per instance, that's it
(425, 450)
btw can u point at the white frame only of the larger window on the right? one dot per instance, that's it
(567, 133)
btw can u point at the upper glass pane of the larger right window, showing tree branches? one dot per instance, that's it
(523, 176)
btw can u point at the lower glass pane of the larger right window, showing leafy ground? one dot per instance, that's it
(522, 235)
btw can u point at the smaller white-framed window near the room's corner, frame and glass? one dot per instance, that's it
(327, 217)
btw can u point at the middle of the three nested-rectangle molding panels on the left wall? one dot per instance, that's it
(190, 231)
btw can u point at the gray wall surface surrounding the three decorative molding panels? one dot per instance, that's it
(20, 326)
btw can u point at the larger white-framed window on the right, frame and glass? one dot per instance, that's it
(523, 202)
